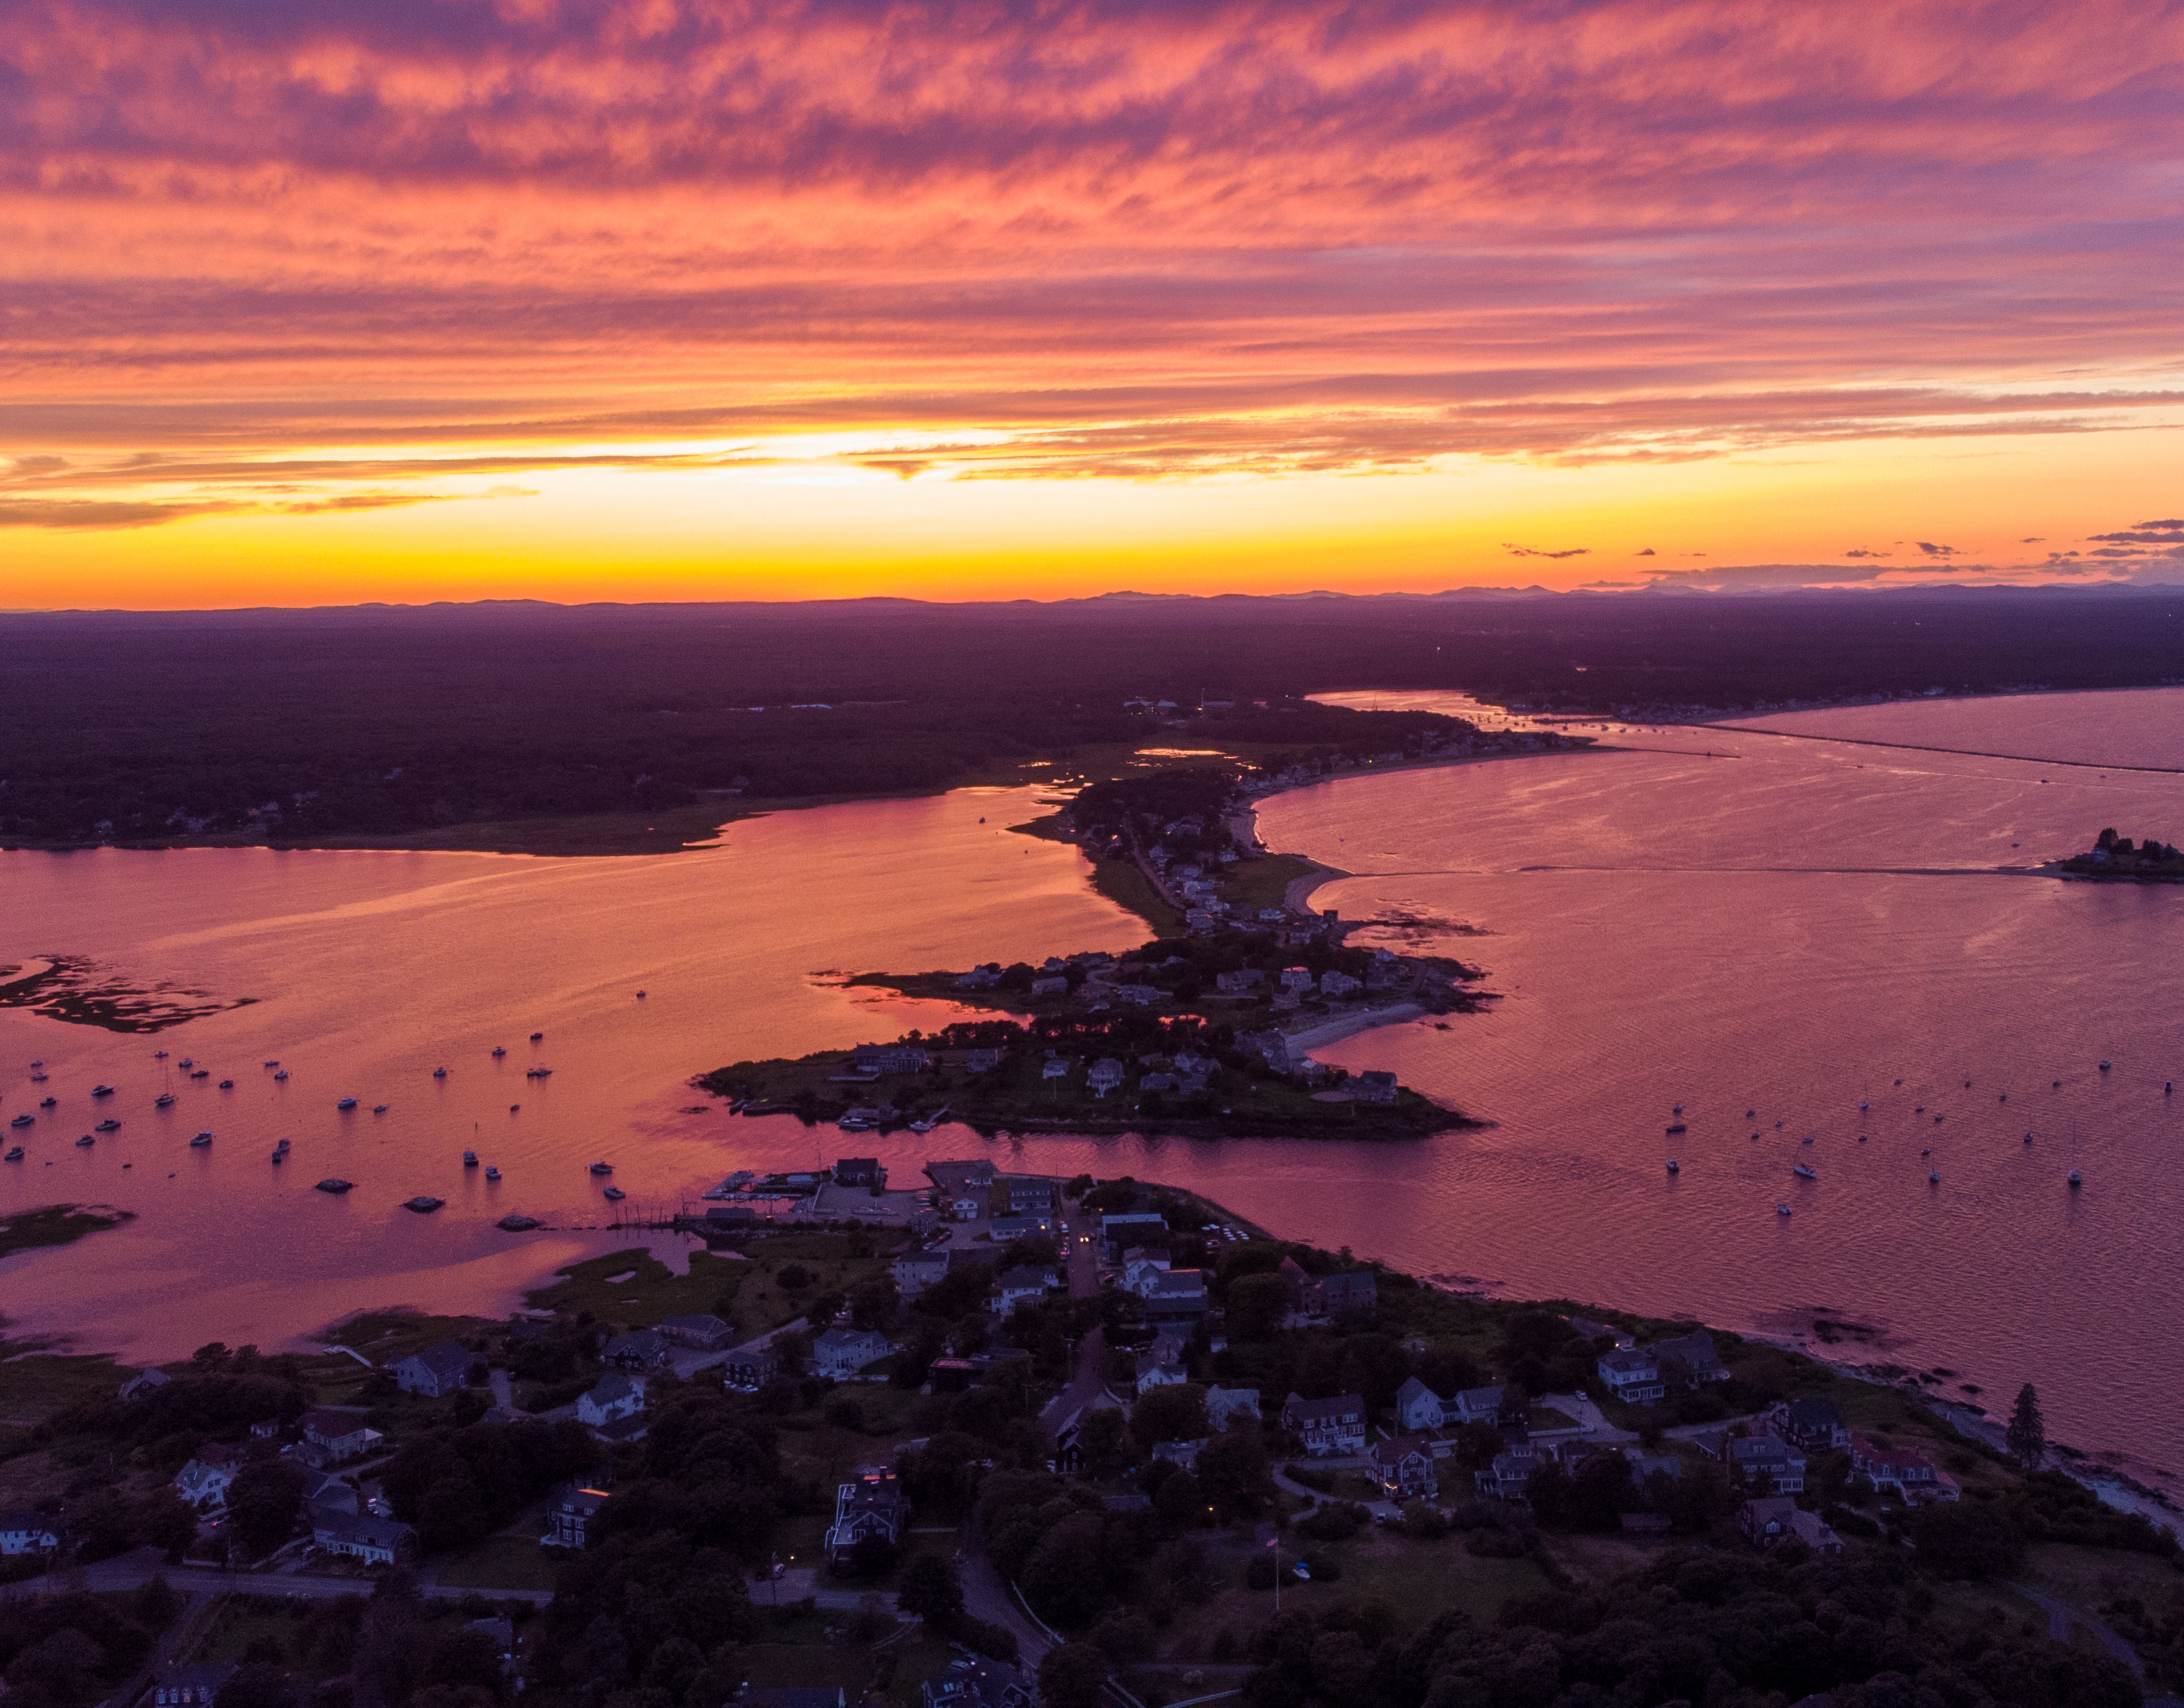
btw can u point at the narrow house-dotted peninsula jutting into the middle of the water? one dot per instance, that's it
(1204, 1032)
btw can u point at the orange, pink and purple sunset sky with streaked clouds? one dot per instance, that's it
(702, 300)
